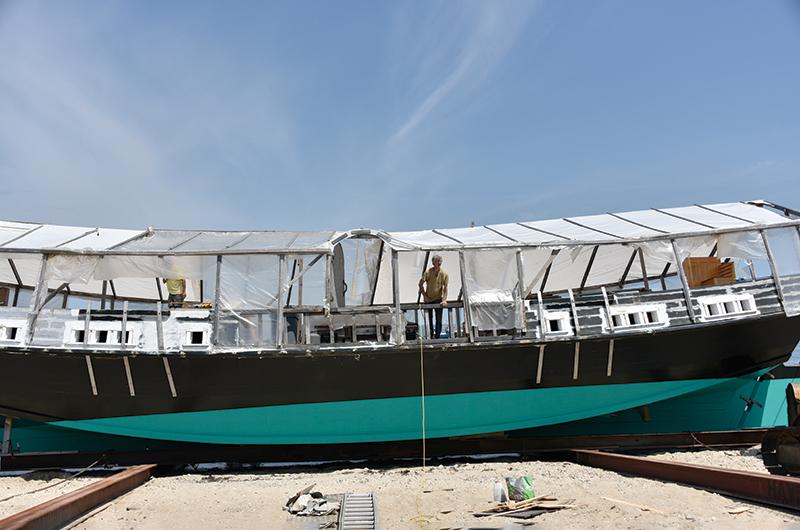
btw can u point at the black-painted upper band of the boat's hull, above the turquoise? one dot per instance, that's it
(50, 386)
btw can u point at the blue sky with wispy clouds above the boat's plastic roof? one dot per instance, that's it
(395, 115)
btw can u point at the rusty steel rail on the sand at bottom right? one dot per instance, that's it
(780, 491)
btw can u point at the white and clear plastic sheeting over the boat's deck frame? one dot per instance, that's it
(136, 276)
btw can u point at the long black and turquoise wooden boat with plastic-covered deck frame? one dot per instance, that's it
(320, 337)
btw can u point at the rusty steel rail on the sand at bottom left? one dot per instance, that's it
(61, 510)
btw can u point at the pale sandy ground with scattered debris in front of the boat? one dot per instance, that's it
(442, 496)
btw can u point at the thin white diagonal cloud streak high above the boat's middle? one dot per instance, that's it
(491, 31)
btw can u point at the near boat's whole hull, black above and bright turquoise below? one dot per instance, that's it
(368, 395)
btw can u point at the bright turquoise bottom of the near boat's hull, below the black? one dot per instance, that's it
(379, 420)
